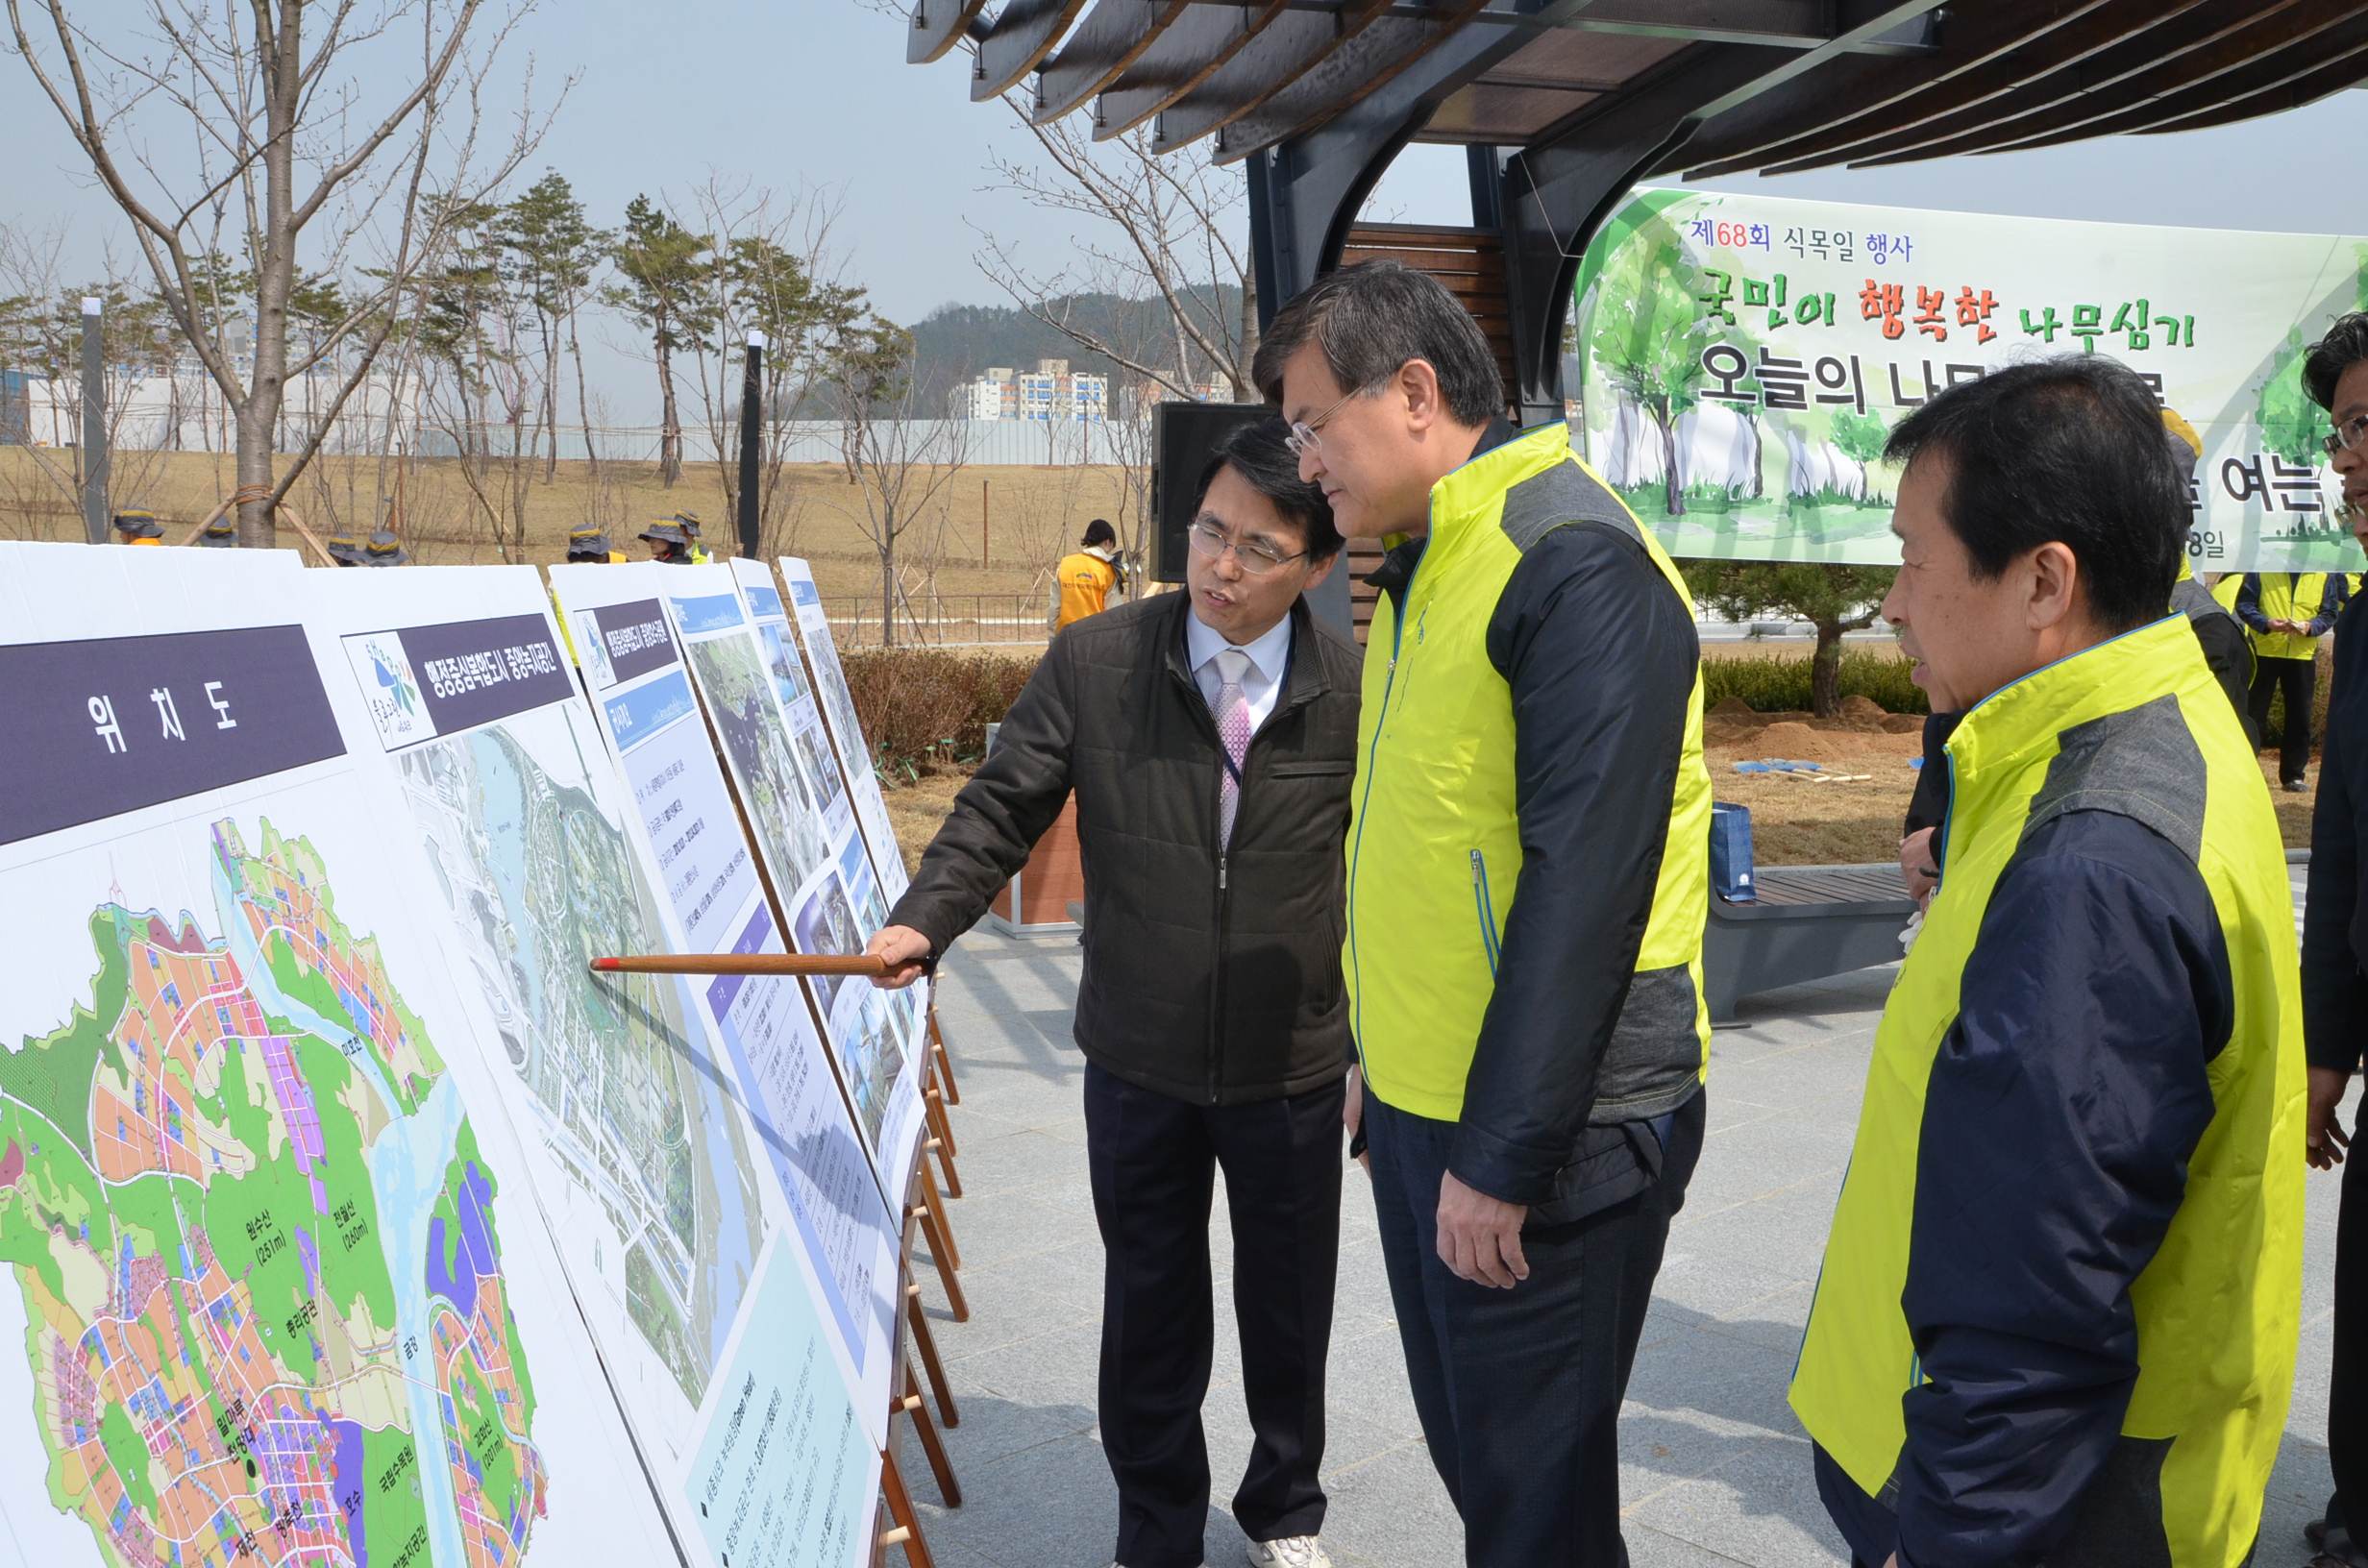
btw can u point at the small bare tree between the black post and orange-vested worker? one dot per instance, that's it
(899, 461)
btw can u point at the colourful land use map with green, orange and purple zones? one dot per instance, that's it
(202, 1183)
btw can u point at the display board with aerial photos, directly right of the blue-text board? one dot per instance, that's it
(813, 856)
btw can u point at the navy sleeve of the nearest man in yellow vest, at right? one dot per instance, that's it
(2057, 1136)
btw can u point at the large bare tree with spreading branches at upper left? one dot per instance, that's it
(307, 155)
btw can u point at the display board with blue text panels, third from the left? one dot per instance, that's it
(688, 828)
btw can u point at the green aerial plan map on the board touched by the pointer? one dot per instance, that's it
(539, 882)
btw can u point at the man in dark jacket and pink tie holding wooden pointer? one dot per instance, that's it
(1209, 740)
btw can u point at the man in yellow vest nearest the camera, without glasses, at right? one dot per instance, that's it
(2061, 1294)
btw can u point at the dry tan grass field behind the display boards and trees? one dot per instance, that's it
(449, 515)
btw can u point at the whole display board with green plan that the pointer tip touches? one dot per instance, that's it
(648, 1159)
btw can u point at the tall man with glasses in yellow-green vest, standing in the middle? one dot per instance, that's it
(1526, 899)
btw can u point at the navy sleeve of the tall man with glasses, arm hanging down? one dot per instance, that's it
(1602, 657)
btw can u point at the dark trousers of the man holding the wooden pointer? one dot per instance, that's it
(1154, 1167)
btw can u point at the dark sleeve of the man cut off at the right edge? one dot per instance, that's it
(2334, 989)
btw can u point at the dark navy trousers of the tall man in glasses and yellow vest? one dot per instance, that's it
(1519, 1392)
